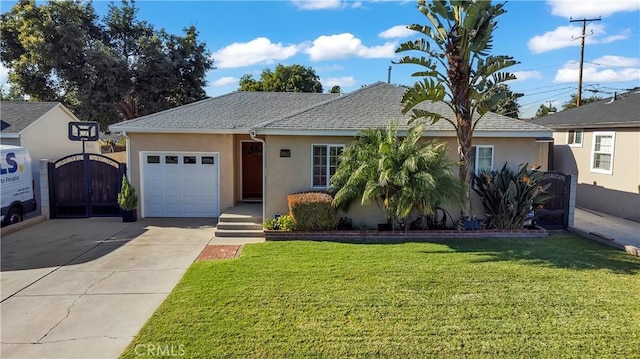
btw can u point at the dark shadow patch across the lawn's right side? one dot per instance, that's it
(561, 251)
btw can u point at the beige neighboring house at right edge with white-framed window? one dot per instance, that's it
(600, 144)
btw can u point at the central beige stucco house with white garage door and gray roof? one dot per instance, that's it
(202, 158)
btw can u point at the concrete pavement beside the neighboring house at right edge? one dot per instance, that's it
(614, 231)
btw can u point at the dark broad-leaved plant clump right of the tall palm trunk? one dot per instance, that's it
(508, 196)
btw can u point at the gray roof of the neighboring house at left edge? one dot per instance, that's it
(18, 115)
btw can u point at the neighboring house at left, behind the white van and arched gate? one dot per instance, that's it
(41, 127)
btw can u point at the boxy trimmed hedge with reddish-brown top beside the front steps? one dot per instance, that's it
(312, 211)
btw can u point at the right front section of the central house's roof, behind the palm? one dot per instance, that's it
(373, 107)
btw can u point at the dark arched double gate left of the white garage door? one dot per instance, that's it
(85, 185)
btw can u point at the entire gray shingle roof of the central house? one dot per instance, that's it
(371, 106)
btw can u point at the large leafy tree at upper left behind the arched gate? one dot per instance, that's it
(106, 70)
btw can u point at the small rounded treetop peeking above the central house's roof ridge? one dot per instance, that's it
(292, 78)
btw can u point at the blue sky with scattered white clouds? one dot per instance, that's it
(352, 43)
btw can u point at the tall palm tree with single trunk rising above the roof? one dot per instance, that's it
(458, 71)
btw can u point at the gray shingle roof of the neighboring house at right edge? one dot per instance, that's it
(623, 112)
